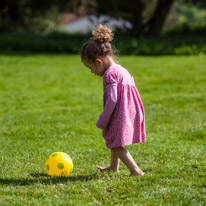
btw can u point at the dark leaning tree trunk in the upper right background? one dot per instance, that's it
(157, 20)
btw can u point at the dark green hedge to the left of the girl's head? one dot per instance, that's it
(54, 42)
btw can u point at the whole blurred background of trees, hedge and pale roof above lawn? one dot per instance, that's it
(142, 27)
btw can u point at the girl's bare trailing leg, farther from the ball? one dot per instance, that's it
(127, 159)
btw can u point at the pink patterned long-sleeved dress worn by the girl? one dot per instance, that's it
(123, 119)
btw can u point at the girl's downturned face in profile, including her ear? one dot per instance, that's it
(96, 68)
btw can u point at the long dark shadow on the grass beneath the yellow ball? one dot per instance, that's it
(45, 179)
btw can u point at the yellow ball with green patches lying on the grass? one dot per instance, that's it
(59, 164)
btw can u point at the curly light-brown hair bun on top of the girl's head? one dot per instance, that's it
(102, 33)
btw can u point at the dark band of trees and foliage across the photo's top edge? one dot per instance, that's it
(146, 16)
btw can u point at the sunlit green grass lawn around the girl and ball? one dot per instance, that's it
(51, 103)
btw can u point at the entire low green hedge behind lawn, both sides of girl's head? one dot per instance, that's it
(171, 43)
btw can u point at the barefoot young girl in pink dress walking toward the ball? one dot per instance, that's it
(122, 120)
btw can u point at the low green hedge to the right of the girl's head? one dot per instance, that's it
(167, 45)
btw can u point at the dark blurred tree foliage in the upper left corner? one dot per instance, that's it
(24, 13)
